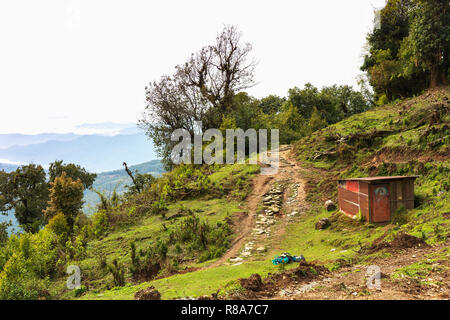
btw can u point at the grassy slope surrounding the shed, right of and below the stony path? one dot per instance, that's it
(365, 152)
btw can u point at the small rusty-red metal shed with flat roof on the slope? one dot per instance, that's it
(376, 197)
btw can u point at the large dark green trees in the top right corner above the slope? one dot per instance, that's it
(409, 50)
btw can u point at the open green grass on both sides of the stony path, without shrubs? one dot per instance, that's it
(408, 137)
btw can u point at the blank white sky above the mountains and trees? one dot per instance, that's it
(67, 62)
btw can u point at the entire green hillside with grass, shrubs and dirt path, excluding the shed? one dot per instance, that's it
(174, 234)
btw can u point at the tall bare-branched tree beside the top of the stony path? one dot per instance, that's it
(202, 89)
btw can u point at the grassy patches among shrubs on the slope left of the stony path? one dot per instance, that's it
(146, 230)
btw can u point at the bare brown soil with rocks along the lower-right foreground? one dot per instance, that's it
(313, 281)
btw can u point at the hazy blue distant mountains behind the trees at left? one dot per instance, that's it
(103, 153)
